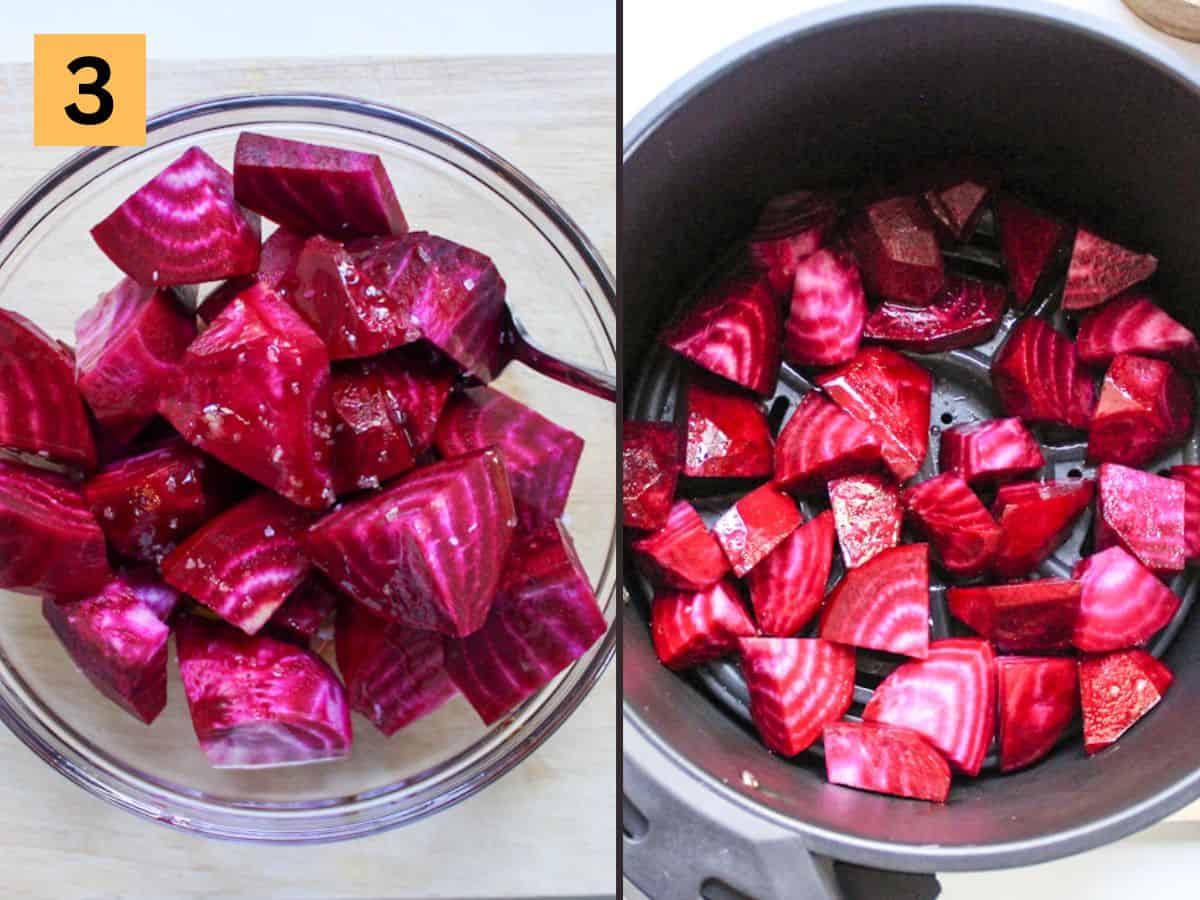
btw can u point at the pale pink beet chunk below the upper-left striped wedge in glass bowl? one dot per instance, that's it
(128, 346)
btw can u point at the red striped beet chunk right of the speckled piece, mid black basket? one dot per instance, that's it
(964, 536)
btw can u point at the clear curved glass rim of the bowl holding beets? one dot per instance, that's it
(405, 802)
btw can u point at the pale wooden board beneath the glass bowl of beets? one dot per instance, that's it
(548, 829)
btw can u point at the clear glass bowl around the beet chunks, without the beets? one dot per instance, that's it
(562, 292)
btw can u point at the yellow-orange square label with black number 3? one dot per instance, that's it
(89, 91)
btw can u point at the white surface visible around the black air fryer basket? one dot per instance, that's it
(665, 39)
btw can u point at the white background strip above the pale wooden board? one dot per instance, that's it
(208, 29)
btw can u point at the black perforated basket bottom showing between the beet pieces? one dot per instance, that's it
(962, 394)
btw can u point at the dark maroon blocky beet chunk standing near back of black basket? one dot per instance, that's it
(896, 242)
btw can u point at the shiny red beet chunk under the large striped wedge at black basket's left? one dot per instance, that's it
(725, 433)
